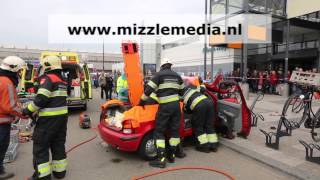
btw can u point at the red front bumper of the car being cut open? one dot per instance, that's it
(118, 140)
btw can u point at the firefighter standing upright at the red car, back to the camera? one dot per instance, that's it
(167, 85)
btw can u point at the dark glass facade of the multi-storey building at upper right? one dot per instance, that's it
(304, 35)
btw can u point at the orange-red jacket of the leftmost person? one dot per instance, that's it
(8, 102)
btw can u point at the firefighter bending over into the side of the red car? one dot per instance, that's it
(202, 110)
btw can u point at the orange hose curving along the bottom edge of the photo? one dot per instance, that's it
(184, 168)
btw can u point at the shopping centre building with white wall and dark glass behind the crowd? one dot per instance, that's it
(295, 40)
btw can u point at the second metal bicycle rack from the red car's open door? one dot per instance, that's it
(284, 128)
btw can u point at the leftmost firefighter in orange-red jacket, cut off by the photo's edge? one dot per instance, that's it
(9, 109)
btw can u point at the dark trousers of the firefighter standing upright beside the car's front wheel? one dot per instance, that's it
(168, 117)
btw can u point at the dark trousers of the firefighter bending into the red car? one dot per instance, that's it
(202, 122)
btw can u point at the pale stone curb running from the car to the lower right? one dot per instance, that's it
(292, 171)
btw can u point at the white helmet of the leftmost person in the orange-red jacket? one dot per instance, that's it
(12, 63)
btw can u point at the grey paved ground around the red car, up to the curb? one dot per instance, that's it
(97, 162)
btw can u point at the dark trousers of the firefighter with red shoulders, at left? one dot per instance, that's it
(50, 134)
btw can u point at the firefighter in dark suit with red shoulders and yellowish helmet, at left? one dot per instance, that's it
(51, 126)
